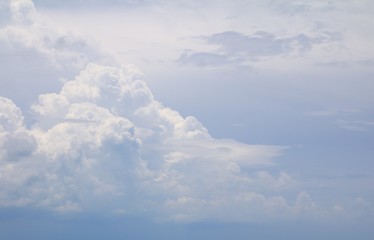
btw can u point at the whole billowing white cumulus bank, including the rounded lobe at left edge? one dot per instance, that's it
(104, 139)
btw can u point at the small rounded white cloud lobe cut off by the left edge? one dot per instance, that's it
(16, 147)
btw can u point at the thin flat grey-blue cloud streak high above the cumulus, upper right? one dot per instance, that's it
(238, 48)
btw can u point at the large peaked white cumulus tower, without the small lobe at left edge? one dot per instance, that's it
(115, 135)
